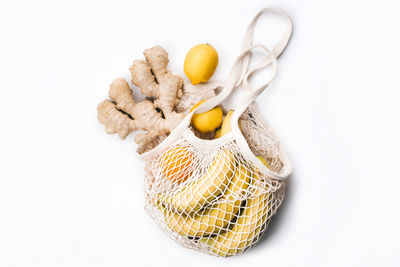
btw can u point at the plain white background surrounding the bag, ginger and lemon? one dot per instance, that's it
(71, 195)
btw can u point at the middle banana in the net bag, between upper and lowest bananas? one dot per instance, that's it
(215, 218)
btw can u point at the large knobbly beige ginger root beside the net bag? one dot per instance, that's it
(162, 109)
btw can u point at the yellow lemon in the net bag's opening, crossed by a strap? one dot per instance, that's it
(207, 121)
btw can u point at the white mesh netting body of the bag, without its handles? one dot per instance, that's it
(212, 198)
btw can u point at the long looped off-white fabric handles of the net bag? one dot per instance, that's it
(236, 79)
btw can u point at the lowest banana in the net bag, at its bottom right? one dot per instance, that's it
(247, 226)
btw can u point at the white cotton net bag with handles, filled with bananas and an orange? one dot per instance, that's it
(217, 196)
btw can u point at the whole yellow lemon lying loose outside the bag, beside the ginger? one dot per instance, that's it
(200, 63)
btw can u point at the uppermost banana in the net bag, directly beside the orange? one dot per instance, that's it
(207, 188)
